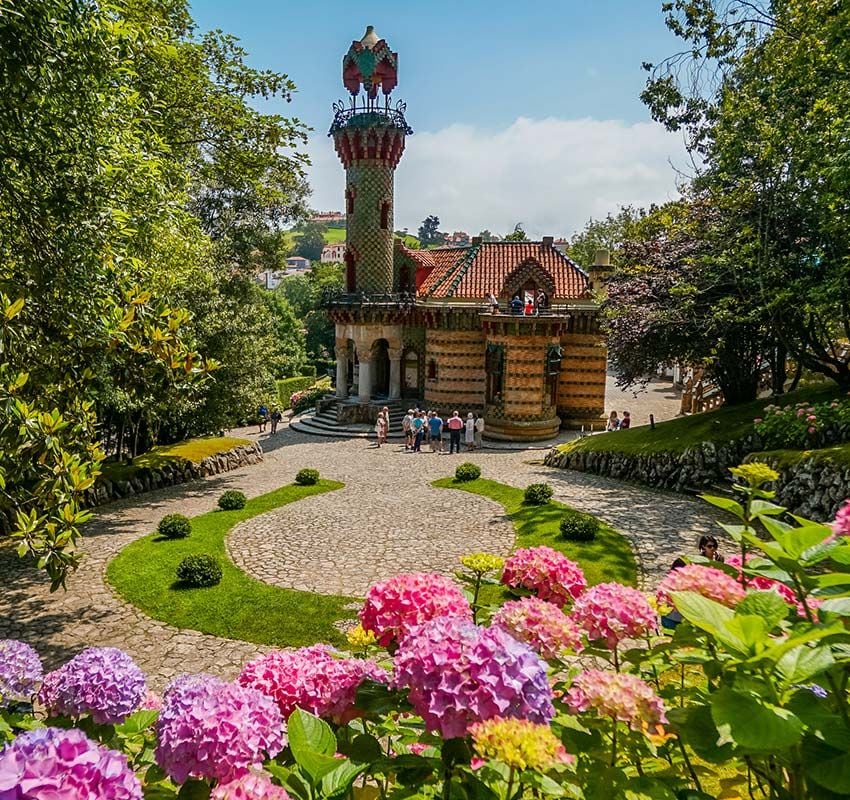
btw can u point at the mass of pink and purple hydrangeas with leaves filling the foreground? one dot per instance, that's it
(751, 685)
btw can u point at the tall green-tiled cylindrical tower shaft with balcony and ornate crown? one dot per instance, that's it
(369, 140)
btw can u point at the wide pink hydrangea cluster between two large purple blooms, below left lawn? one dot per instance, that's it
(313, 679)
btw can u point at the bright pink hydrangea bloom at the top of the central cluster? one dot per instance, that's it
(546, 572)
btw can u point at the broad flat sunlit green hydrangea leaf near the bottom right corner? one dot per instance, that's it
(753, 724)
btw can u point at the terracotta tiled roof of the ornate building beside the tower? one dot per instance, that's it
(471, 273)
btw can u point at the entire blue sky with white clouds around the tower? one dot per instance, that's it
(522, 112)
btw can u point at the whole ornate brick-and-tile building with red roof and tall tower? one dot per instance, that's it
(420, 325)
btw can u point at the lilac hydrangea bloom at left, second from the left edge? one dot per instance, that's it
(102, 681)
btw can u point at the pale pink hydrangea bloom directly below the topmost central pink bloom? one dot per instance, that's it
(540, 624)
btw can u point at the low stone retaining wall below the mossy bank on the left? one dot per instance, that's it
(147, 479)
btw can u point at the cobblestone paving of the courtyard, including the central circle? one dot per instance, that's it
(386, 519)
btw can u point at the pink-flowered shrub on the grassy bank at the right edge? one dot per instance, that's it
(804, 425)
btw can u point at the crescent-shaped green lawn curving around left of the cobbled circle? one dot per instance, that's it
(240, 607)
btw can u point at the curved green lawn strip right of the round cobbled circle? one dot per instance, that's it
(608, 557)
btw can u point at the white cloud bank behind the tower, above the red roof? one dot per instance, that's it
(550, 174)
